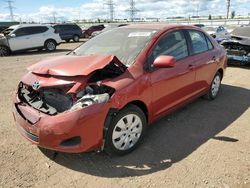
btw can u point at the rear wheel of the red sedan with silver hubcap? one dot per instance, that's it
(215, 87)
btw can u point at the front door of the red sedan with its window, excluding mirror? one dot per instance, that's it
(171, 86)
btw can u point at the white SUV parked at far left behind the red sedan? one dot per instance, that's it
(27, 37)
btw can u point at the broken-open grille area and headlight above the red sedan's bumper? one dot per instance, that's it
(52, 101)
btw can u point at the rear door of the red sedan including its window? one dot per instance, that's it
(205, 58)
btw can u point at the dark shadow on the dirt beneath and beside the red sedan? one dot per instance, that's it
(169, 140)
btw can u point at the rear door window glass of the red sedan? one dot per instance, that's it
(199, 42)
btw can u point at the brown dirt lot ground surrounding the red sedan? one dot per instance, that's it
(205, 144)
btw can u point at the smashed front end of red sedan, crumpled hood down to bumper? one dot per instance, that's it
(62, 105)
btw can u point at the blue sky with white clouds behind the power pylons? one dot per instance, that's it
(42, 11)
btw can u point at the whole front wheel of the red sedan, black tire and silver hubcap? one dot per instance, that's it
(126, 131)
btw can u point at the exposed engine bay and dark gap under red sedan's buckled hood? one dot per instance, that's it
(58, 99)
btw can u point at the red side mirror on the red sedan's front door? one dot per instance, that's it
(164, 61)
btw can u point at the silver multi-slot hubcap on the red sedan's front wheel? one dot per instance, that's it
(127, 132)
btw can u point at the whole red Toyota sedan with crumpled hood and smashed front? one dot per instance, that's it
(106, 92)
